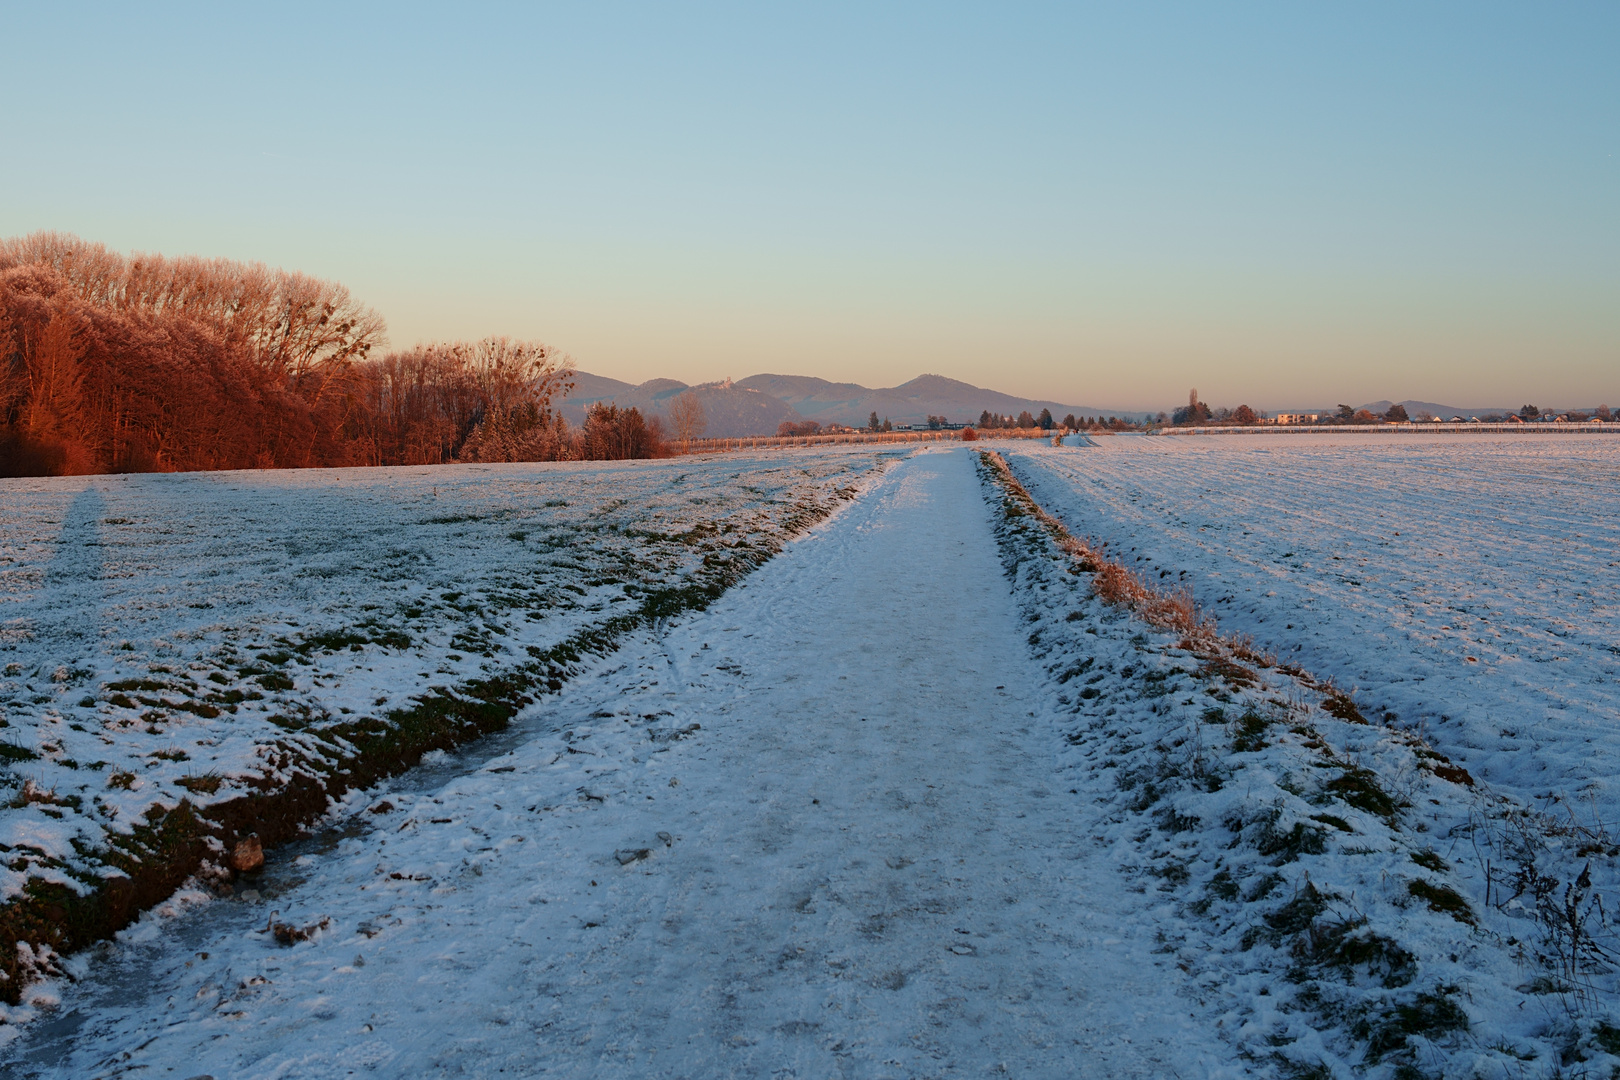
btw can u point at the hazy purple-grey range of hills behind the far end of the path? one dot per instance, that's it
(759, 404)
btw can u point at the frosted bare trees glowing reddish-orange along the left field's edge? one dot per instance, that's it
(117, 364)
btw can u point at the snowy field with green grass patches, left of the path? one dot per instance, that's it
(198, 639)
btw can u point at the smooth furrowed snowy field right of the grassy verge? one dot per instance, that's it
(1470, 587)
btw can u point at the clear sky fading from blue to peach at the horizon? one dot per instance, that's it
(1106, 205)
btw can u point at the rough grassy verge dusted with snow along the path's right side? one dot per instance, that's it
(1347, 899)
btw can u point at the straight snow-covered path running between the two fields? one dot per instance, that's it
(861, 864)
